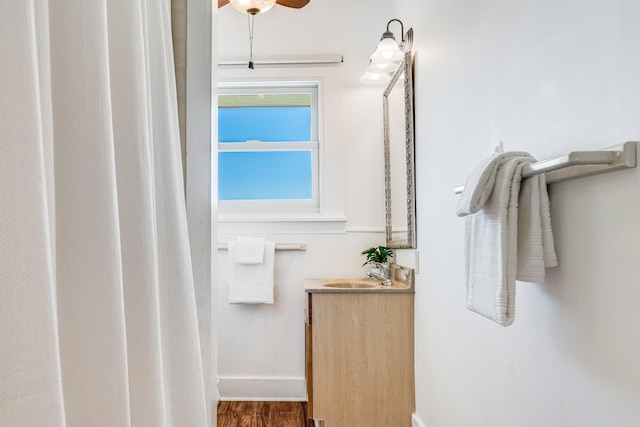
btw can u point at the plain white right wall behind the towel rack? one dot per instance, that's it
(548, 77)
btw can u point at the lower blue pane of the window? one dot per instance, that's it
(260, 175)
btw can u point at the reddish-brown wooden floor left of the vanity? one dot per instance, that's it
(263, 414)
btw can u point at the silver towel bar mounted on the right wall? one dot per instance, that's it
(579, 164)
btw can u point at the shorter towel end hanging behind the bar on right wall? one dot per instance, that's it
(535, 238)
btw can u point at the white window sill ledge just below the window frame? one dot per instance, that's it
(282, 224)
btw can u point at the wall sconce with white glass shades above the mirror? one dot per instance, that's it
(386, 58)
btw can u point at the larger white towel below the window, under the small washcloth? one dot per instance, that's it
(251, 283)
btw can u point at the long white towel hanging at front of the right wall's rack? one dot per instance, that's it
(491, 242)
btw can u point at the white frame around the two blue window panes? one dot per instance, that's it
(275, 206)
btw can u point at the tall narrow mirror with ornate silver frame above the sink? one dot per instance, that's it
(399, 164)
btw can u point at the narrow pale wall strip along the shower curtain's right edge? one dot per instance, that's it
(201, 219)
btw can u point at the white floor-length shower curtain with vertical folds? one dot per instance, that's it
(98, 319)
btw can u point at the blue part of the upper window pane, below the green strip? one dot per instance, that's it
(269, 124)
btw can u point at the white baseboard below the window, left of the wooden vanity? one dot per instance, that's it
(282, 389)
